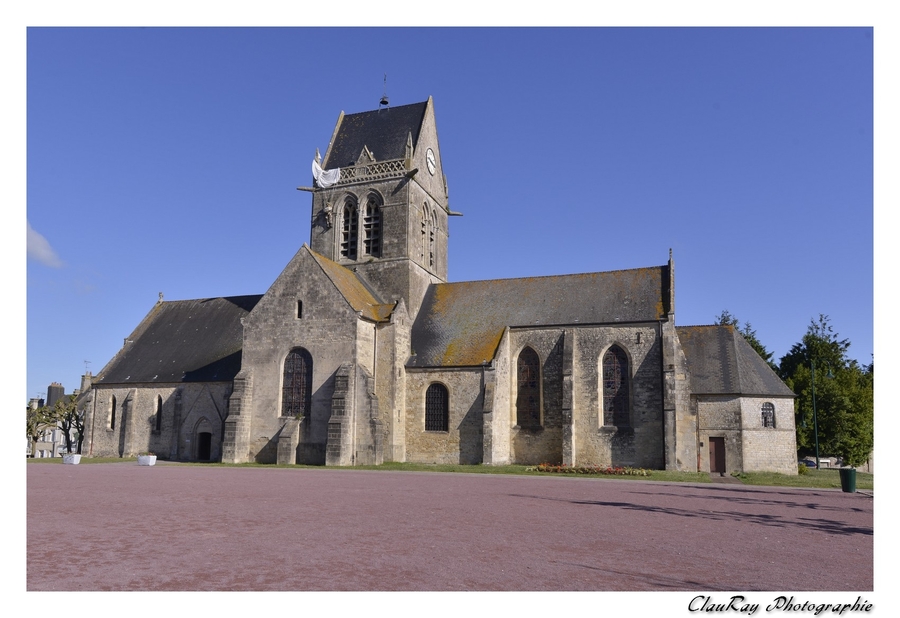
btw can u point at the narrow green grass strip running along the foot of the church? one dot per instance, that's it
(827, 479)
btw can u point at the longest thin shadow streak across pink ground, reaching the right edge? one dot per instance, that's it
(778, 521)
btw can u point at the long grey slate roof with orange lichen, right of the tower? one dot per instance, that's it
(460, 324)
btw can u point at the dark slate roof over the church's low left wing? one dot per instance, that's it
(183, 341)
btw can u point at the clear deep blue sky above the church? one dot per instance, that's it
(167, 160)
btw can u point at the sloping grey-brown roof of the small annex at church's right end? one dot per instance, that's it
(721, 362)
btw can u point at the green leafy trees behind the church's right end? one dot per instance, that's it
(844, 390)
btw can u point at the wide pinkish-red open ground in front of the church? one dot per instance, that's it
(173, 527)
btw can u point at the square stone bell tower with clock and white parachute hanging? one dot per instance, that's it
(380, 204)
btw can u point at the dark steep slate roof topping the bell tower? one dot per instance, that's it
(383, 131)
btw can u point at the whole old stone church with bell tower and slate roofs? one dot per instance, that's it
(362, 352)
